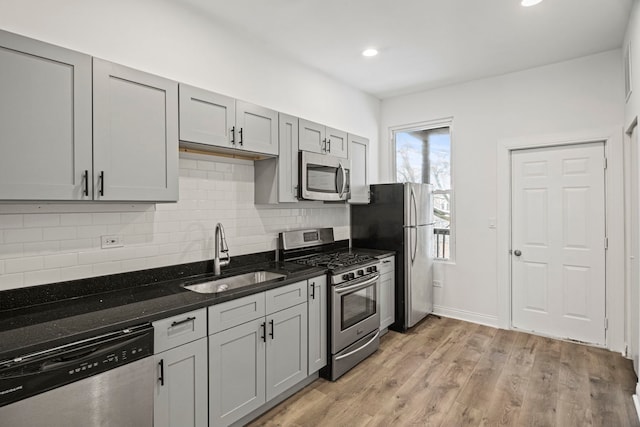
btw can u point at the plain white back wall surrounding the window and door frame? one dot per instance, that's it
(571, 96)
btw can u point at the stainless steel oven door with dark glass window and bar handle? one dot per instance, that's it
(356, 311)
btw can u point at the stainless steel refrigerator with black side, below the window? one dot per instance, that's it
(400, 218)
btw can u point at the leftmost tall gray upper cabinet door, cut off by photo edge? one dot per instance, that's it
(45, 121)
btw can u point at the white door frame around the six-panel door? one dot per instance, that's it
(614, 223)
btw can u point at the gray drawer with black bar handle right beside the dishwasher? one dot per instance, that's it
(180, 329)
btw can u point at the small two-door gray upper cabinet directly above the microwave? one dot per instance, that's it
(318, 138)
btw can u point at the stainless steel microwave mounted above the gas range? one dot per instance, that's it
(323, 177)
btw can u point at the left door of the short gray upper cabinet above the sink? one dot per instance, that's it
(206, 117)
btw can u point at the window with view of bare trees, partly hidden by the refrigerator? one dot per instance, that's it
(423, 154)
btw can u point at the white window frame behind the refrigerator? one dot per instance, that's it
(429, 125)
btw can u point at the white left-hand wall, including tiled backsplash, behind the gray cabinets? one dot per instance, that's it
(48, 243)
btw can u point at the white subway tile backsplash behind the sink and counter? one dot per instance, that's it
(38, 248)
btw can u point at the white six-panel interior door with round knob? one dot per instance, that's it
(558, 241)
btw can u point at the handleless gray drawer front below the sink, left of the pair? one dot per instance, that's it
(232, 313)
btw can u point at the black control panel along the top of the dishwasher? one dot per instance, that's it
(36, 373)
